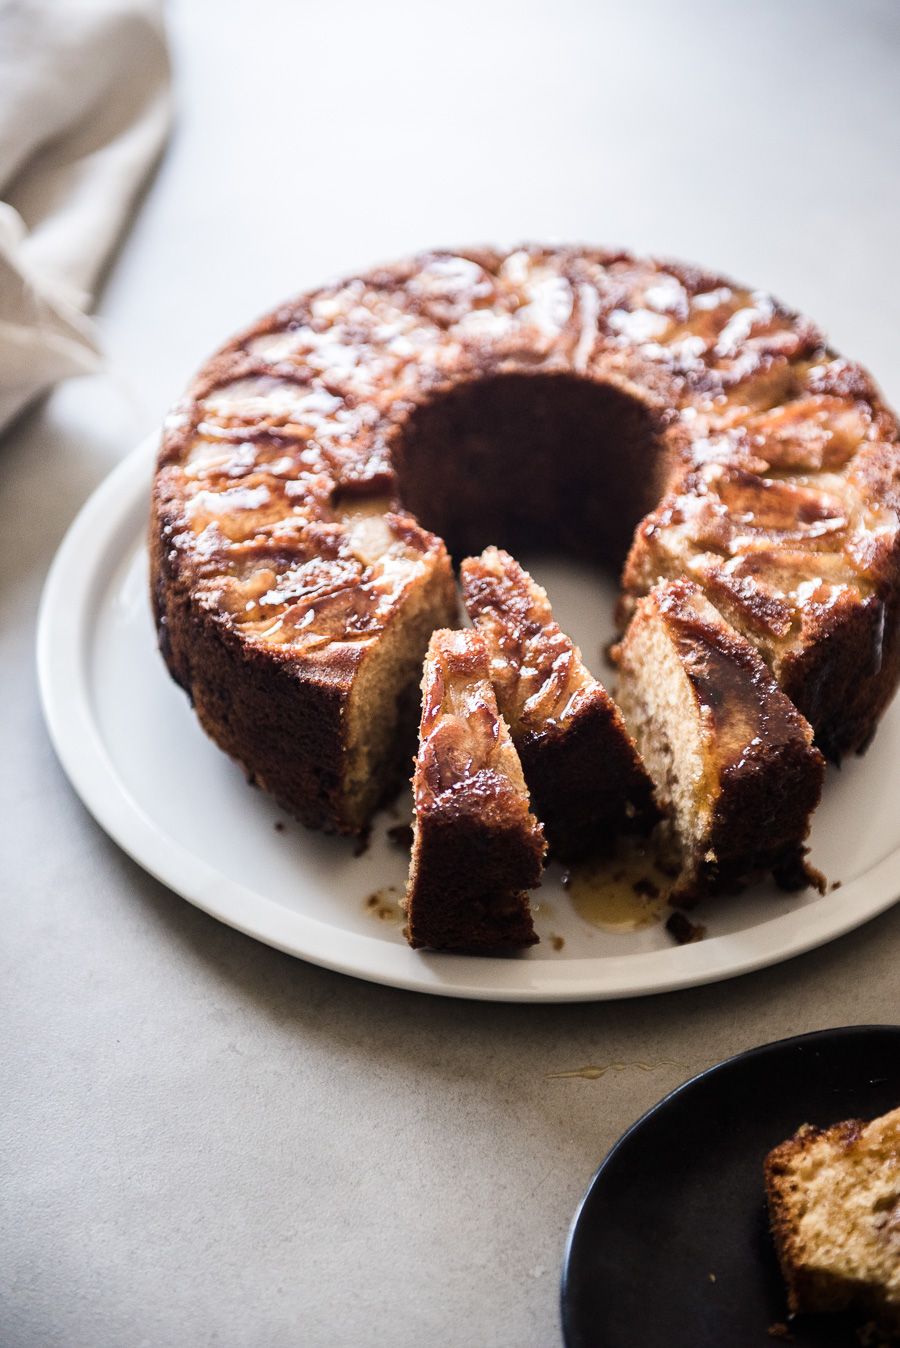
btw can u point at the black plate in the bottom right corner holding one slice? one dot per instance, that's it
(670, 1248)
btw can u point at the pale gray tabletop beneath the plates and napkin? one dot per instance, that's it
(208, 1142)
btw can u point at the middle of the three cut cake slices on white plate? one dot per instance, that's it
(580, 762)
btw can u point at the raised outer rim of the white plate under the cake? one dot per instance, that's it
(63, 648)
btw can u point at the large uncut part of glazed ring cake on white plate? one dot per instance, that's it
(567, 397)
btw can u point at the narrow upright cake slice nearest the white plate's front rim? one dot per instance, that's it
(478, 847)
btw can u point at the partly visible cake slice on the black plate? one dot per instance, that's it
(835, 1206)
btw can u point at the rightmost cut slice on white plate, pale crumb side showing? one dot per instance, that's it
(732, 761)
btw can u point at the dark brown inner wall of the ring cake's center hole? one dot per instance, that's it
(533, 463)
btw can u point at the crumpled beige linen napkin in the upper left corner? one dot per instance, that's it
(84, 114)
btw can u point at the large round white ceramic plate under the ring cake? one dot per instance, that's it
(138, 758)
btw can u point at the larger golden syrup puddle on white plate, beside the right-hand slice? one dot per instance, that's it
(622, 893)
